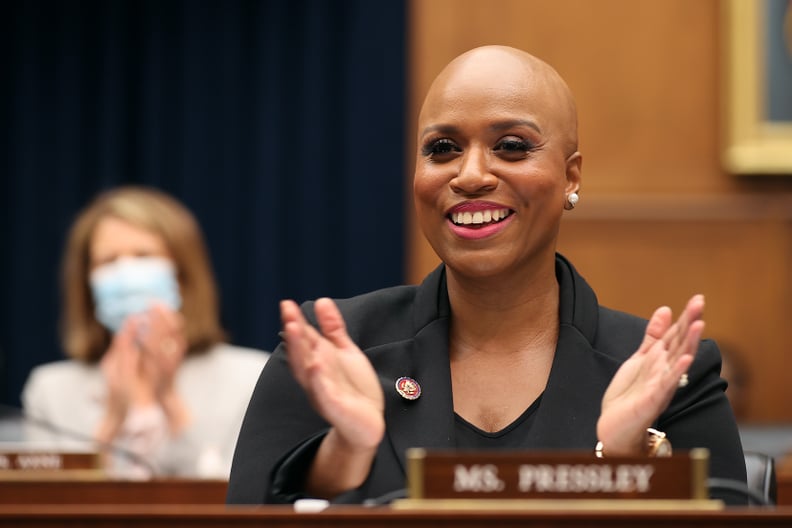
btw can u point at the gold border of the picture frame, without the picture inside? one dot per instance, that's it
(754, 143)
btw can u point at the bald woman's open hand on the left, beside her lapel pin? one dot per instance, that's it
(343, 388)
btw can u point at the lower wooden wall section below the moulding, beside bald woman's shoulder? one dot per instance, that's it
(741, 264)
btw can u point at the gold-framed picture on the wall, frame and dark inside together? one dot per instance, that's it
(758, 79)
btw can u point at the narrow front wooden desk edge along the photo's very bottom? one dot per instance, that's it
(216, 516)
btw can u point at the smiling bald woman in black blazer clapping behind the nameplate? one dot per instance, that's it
(504, 345)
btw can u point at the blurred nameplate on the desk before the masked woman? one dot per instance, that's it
(46, 464)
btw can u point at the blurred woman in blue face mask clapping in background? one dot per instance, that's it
(150, 377)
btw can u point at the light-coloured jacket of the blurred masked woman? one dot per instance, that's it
(64, 403)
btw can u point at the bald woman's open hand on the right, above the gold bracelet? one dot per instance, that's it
(645, 384)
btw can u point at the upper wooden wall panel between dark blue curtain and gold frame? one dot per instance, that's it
(644, 74)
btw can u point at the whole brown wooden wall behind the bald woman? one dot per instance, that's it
(659, 219)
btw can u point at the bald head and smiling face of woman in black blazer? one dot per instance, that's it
(483, 143)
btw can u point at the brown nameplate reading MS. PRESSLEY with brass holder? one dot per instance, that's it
(555, 479)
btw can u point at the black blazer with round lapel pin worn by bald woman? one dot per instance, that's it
(404, 332)
